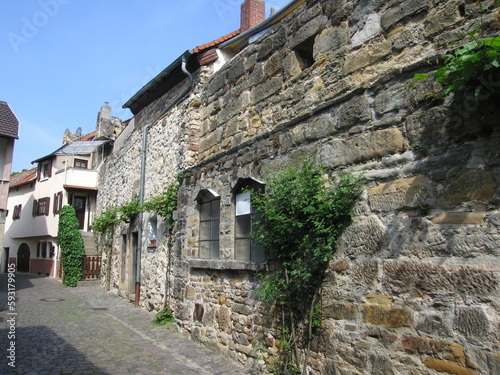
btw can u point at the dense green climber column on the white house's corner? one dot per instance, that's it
(70, 241)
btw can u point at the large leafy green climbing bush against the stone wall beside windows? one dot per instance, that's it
(302, 213)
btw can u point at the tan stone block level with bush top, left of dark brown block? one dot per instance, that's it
(408, 192)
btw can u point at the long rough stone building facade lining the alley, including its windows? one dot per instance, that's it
(414, 283)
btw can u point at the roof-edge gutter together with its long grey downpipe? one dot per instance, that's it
(183, 61)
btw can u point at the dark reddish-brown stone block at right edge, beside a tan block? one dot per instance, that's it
(467, 185)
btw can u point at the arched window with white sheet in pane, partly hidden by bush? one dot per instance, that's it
(244, 247)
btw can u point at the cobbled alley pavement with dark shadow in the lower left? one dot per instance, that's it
(87, 330)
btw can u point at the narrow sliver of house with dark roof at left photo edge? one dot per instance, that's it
(9, 130)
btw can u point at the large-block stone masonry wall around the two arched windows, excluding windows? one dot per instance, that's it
(413, 288)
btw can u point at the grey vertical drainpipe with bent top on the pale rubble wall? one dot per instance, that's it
(185, 58)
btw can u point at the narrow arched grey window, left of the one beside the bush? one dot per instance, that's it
(209, 202)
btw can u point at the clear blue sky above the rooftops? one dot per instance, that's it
(61, 60)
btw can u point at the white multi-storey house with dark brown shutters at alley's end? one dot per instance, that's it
(67, 176)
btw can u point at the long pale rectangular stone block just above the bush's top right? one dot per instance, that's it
(363, 147)
